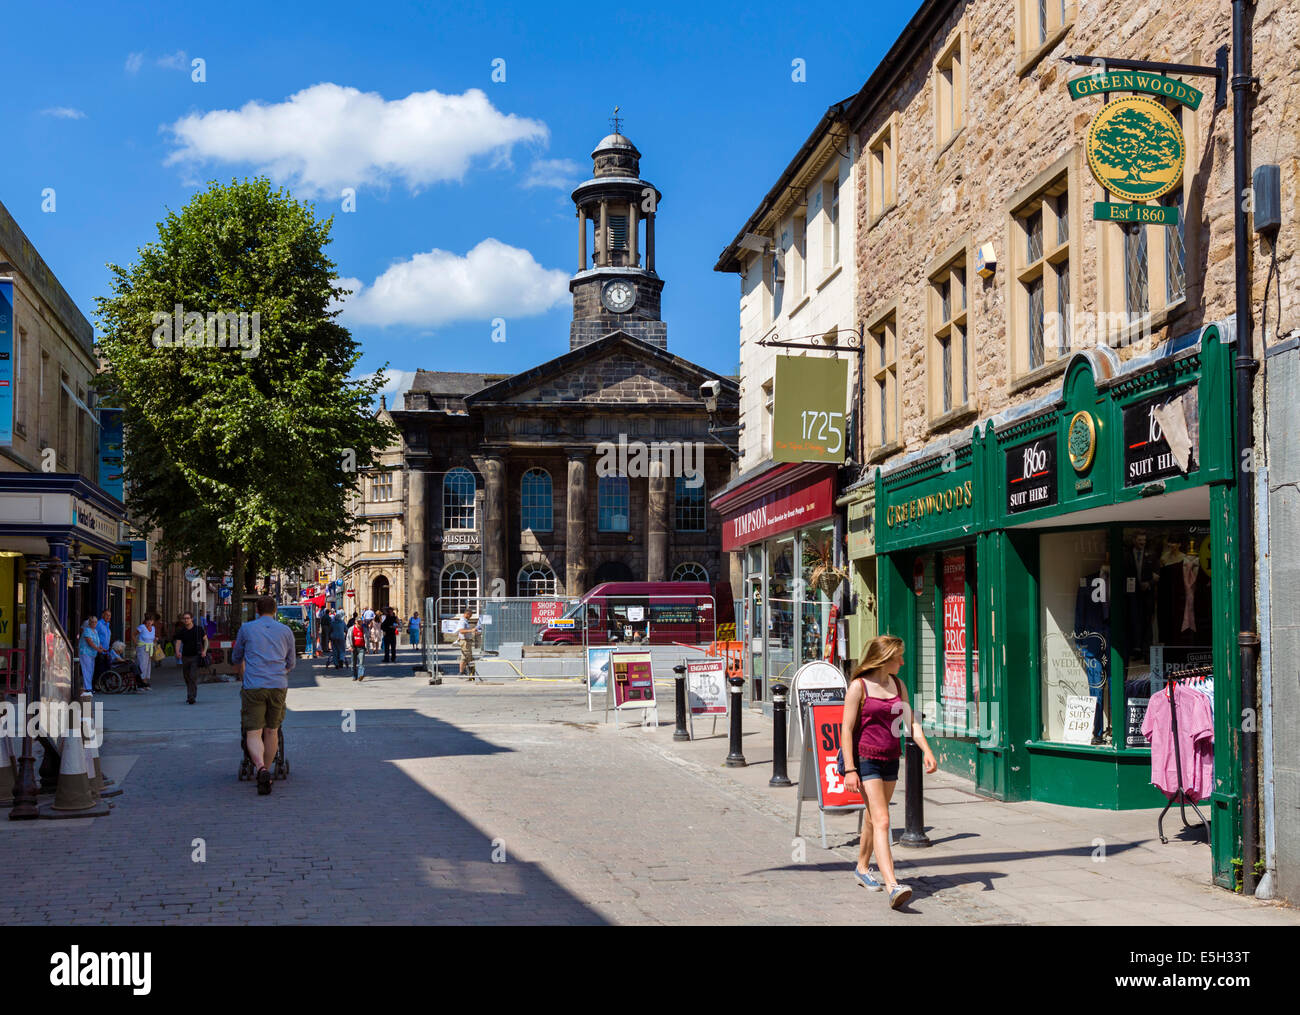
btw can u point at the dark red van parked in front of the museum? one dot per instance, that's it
(644, 613)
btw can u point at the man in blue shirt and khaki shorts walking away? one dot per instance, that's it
(266, 648)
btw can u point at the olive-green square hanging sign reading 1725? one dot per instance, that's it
(808, 415)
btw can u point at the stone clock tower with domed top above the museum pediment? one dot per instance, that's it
(617, 288)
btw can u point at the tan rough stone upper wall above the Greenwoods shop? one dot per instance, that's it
(1019, 127)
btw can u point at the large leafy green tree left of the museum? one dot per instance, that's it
(244, 436)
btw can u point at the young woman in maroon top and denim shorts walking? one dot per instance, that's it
(876, 714)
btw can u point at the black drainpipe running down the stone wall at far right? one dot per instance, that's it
(1246, 366)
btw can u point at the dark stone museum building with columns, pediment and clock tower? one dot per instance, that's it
(596, 466)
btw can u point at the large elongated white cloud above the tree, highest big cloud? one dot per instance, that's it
(330, 137)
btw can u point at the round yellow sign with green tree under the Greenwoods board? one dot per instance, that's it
(1137, 149)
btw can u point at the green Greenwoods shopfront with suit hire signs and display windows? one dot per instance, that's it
(1052, 566)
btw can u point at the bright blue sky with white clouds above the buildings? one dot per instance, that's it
(462, 209)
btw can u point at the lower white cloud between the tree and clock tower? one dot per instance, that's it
(440, 288)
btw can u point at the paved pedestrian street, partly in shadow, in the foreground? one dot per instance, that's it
(402, 796)
